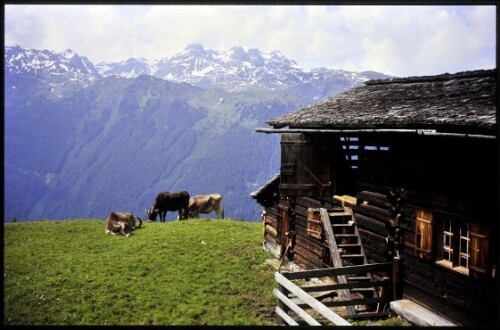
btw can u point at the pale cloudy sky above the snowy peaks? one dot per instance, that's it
(402, 40)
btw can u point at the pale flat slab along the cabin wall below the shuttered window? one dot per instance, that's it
(417, 314)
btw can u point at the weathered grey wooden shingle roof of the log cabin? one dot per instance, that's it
(463, 102)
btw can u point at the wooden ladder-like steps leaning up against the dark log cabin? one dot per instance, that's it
(346, 249)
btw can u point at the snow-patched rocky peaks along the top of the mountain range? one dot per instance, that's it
(236, 69)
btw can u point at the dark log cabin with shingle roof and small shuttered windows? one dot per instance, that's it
(415, 159)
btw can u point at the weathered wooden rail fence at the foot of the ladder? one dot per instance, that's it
(297, 301)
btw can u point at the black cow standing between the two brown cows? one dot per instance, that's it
(169, 201)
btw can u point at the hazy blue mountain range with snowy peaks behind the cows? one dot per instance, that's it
(84, 139)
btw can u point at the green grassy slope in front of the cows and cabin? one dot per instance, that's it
(196, 272)
